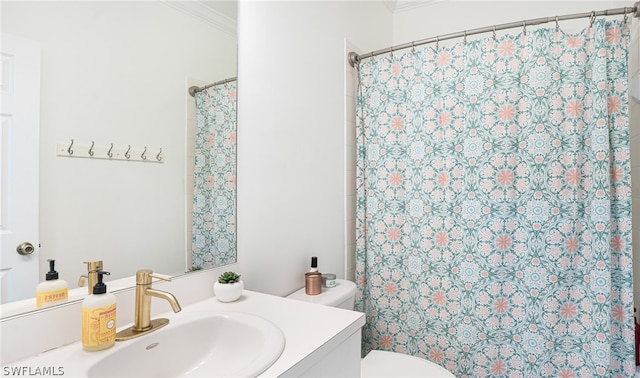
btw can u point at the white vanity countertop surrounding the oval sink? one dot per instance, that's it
(311, 331)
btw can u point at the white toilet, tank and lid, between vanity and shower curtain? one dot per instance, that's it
(377, 363)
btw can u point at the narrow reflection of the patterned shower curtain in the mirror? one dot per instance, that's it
(214, 200)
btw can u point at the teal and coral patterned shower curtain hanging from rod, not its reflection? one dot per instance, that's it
(494, 204)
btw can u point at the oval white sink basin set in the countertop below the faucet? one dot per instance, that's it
(197, 344)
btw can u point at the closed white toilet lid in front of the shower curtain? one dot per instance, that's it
(380, 363)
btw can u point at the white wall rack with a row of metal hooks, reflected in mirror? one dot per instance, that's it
(110, 152)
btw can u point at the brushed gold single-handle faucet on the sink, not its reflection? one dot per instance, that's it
(142, 322)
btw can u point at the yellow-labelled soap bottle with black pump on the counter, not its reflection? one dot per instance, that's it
(99, 318)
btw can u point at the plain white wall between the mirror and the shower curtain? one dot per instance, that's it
(291, 134)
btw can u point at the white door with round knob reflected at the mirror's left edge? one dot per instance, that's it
(19, 146)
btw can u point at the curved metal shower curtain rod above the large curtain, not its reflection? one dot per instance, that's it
(355, 58)
